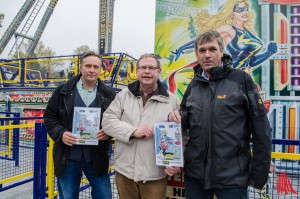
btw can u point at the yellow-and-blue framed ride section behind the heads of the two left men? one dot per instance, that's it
(118, 70)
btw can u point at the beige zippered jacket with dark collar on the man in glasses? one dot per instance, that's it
(135, 157)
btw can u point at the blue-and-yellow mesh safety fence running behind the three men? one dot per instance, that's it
(26, 157)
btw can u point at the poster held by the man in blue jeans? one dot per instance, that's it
(86, 124)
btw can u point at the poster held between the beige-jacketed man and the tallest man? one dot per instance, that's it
(168, 144)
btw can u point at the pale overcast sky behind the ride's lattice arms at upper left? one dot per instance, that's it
(75, 23)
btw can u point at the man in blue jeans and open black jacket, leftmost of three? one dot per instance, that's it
(70, 159)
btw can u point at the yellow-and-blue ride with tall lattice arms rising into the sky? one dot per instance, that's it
(52, 71)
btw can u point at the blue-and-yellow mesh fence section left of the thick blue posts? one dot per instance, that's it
(15, 151)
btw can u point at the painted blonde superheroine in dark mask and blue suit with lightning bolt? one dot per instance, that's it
(235, 24)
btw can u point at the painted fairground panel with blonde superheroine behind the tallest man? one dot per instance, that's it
(263, 38)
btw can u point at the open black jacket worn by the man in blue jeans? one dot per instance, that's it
(58, 118)
